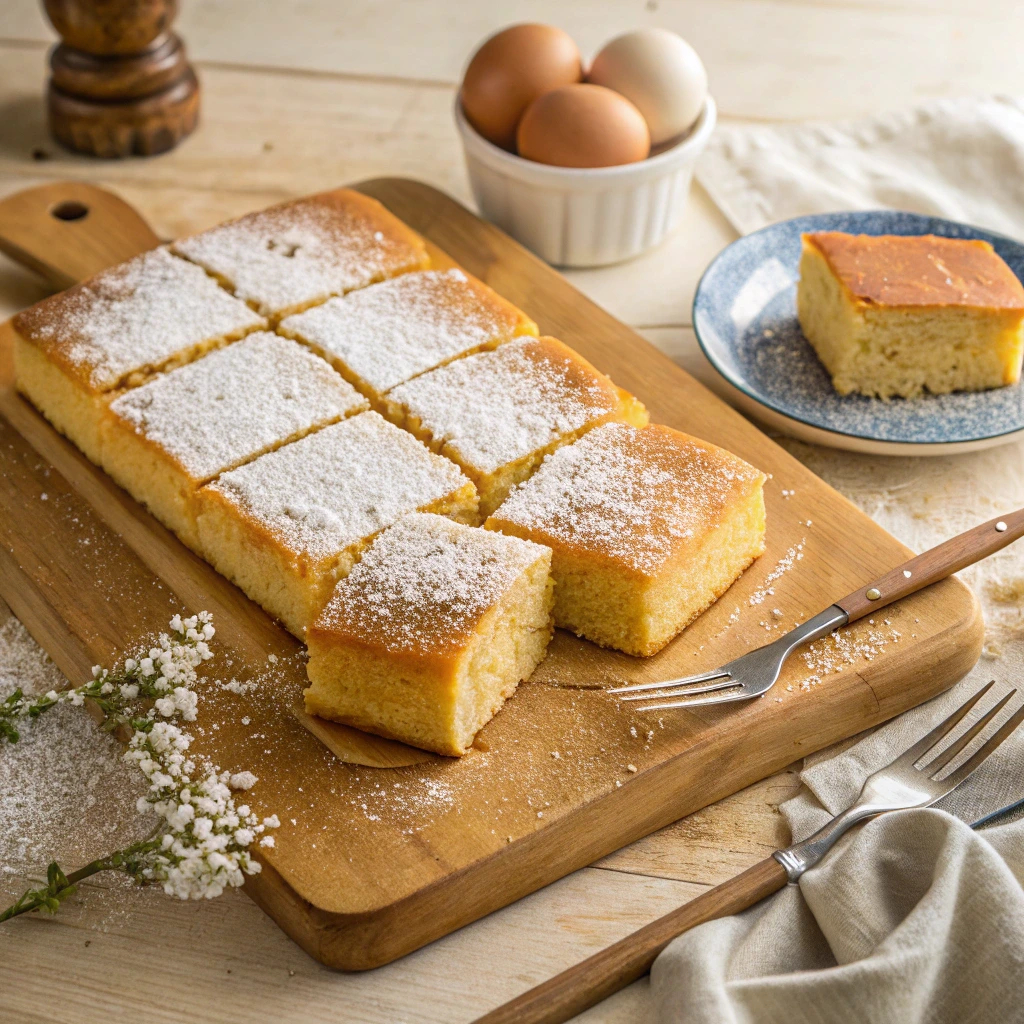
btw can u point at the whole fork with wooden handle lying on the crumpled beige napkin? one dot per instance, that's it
(900, 786)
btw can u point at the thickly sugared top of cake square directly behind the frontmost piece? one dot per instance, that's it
(335, 488)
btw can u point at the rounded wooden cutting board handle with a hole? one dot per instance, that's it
(69, 231)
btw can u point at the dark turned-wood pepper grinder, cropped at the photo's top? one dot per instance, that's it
(120, 82)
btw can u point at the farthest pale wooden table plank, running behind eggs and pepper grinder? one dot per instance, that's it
(779, 60)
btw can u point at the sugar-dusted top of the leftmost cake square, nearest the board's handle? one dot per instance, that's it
(135, 318)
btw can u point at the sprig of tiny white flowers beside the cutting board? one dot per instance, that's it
(202, 844)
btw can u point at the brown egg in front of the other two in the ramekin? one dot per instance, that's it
(583, 126)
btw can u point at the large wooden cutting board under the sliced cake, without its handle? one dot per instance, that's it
(371, 864)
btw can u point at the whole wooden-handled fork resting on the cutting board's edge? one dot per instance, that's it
(756, 672)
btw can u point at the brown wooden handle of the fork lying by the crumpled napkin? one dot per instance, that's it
(600, 976)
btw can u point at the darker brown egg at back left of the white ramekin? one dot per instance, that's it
(510, 71)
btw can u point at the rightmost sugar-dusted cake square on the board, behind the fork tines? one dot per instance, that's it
(649, 529)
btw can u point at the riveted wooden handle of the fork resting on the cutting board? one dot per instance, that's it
(944, 561)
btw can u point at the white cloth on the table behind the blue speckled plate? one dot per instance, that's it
(962, 159)
